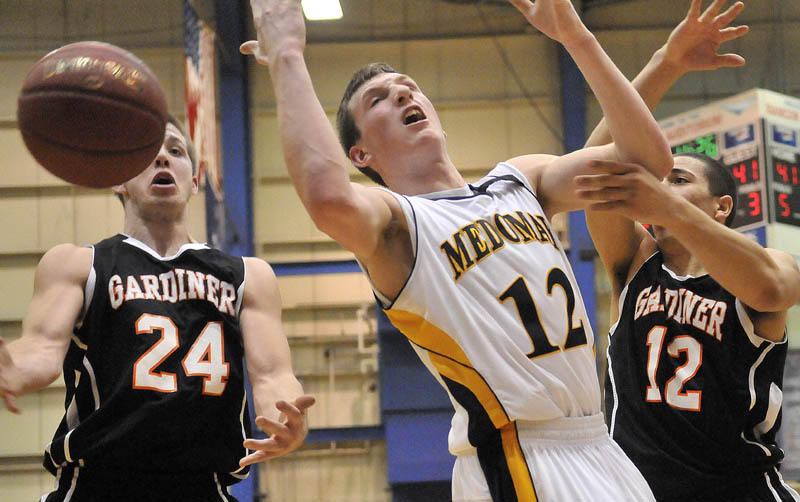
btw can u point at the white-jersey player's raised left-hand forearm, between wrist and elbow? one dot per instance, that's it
(313, 155)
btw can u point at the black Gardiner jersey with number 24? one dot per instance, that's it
(154, 372)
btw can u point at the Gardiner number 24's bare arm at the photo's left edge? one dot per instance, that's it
(35, 359)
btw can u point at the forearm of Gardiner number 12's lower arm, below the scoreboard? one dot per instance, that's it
(739, 264)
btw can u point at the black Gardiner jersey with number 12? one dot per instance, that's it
(693, 396)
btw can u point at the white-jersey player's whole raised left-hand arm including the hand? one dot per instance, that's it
(351, 214)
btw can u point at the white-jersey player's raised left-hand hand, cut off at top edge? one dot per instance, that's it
(280, 26)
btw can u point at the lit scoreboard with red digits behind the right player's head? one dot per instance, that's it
(755, 135)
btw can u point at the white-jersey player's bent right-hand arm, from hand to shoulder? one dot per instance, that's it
(636, 134)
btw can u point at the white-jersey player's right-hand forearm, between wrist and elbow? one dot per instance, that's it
(629, 121)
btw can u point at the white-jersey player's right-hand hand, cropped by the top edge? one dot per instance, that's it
(555, 18)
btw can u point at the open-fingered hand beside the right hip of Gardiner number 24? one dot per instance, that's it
(285, 435)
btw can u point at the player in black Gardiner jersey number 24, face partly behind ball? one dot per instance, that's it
(151, 329)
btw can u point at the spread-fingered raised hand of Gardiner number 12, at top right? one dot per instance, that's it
(694, 43)
